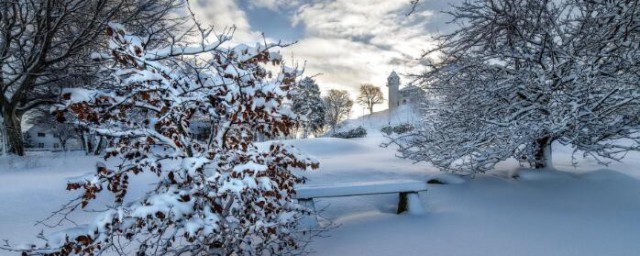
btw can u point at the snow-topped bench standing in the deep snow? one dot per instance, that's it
(409, 200)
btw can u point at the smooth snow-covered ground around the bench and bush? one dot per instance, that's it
(588, 210)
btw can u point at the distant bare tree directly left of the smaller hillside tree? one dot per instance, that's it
(338, 105)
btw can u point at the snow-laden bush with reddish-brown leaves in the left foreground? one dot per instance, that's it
(218, 196)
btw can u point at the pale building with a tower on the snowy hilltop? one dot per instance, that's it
(409, 94)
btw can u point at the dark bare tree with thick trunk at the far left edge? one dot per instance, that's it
(47, 41)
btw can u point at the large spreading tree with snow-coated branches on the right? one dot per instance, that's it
(520, 75)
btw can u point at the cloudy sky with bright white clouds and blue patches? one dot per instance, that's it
(344, 42)
